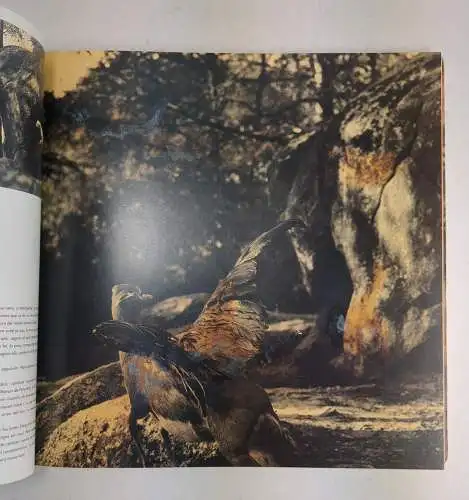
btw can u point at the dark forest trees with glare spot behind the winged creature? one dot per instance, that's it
(158, 167)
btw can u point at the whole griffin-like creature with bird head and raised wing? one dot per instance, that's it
(197, 376)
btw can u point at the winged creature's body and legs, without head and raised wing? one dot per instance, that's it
(185, 386)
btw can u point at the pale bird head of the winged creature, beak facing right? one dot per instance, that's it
(128, 301)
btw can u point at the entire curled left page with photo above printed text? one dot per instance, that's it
(21, 113)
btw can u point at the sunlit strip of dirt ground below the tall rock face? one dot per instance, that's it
(364, 426)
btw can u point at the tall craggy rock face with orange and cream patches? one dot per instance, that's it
(370, 188)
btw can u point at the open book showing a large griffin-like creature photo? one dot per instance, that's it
(224, 259)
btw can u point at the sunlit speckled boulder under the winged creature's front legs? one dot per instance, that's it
(99, 437)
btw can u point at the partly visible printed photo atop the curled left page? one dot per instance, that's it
(21, 109)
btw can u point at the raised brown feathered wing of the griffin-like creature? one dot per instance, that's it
(232, 324)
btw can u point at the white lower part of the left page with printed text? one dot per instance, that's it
(19, 270)
